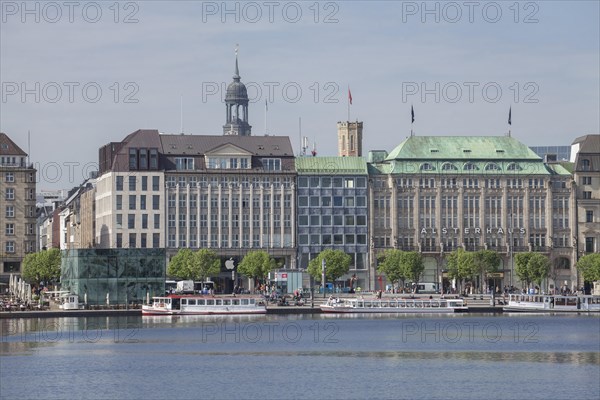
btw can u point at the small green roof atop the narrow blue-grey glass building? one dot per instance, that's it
(331, 165)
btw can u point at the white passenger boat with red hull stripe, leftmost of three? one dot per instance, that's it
(203, 305)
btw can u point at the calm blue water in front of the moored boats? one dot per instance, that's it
(468, 356)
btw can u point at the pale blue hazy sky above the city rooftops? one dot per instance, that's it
(78, 75)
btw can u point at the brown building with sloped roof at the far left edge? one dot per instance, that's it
(17, 207)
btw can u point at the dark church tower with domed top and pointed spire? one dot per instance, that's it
(236, 104)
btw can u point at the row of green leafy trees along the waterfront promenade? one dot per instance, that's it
(397, 265)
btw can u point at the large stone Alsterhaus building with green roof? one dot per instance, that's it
(436, 194)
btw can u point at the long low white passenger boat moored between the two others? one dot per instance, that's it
(398, 306)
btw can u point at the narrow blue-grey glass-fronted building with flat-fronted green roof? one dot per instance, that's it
(332, 212)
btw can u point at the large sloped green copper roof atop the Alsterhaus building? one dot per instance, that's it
(462, 148)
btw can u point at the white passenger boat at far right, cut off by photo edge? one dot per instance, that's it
(552, 303)
